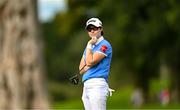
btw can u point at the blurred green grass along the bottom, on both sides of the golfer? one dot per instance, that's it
(119, 100)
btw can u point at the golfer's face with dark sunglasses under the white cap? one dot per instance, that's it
(93, 31)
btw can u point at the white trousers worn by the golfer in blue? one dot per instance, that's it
(95, 93)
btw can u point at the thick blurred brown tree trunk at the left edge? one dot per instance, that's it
(21, 65)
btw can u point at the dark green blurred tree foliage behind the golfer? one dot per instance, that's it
(144, 34)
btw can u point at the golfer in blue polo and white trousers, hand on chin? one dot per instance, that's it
(96, 59)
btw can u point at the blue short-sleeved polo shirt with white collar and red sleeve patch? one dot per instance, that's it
(100, 70)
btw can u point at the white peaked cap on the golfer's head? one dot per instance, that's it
(94, 21)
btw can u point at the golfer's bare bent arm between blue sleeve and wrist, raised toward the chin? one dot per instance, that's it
(93, 58)
